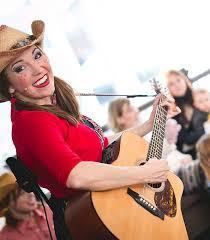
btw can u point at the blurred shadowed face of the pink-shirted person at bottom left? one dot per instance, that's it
(25, 203)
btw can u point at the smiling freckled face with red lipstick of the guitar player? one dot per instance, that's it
(30, 77)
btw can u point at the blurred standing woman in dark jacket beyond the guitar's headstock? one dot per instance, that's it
(190, 119)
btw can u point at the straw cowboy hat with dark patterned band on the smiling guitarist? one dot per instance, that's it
(13, 42)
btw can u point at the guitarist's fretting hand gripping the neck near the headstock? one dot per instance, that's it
(169, 102)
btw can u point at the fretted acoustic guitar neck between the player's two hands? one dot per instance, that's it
(158, 132)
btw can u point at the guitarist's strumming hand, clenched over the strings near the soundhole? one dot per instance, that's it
(155, 170)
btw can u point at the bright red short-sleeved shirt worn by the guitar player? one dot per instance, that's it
(51, 147)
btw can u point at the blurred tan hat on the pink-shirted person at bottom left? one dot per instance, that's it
(7, 184)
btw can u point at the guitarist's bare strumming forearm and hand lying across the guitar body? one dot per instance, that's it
(99, 176)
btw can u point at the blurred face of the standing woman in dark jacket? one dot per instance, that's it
(176, 85)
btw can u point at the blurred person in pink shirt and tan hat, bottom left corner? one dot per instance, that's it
(24, 216)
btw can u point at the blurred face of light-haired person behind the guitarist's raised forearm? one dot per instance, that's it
(129, 116)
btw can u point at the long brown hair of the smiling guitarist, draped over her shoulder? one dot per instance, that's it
(66, 106)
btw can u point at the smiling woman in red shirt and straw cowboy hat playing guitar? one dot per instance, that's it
(61, 147)
